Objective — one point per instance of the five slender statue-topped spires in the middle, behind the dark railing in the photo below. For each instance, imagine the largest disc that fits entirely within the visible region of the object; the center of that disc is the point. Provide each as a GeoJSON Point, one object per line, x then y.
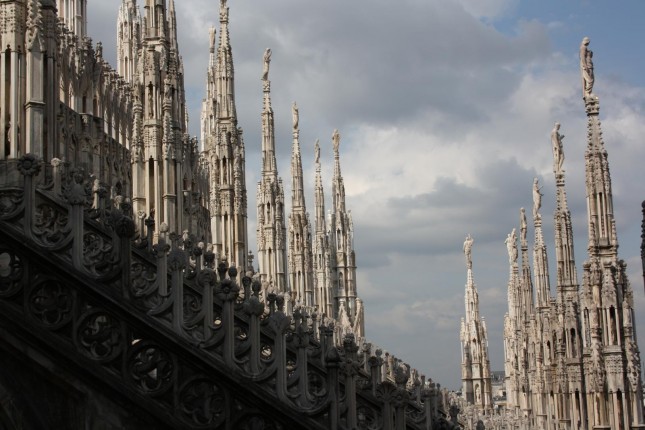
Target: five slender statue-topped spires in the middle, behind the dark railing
{"type": "Point", "coordinates": [315, 271]}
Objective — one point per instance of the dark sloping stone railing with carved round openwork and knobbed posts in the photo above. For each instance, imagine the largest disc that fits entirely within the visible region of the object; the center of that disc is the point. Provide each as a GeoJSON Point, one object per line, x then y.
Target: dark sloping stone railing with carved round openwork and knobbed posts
{"type": "Point", "coordinates": [169, 326]}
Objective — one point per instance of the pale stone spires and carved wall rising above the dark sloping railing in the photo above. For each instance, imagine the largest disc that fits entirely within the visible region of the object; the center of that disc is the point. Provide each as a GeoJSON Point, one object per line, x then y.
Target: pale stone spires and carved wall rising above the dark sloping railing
{"type": "Point", "coordinates": [129, 129]}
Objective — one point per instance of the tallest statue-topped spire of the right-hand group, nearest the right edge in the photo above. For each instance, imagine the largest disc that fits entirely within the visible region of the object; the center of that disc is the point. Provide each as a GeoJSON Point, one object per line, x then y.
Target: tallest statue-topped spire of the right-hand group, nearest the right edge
{"type": "Point", "coordinates": [607, 296]}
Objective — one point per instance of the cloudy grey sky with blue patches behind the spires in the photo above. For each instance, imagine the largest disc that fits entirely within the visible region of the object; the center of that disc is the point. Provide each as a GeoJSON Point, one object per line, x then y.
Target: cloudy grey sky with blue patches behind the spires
{"type": "Point", "coordinates": [445, 110]}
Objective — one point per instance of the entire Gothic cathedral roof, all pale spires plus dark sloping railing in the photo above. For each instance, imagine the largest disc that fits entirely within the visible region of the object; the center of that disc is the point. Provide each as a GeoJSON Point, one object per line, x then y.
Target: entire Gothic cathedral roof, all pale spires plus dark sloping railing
{"type": "Point", "coordinates": [128, 292]}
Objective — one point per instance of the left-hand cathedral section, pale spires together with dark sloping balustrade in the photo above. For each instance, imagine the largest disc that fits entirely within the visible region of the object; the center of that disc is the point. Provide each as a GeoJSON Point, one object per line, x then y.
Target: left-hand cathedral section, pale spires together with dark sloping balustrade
{"type": "Point", "coordinates": [116, 231]}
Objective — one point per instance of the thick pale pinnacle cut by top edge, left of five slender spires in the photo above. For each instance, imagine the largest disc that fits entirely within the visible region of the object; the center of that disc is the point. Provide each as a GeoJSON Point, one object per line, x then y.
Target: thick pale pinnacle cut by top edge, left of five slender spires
{"type": "Point", "coordinates": [165, 170]}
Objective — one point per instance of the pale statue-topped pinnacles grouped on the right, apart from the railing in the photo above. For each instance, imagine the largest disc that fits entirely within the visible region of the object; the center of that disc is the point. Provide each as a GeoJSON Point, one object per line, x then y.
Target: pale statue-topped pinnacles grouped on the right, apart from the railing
{"type": "Point", "coordinates": [571, 361]}
